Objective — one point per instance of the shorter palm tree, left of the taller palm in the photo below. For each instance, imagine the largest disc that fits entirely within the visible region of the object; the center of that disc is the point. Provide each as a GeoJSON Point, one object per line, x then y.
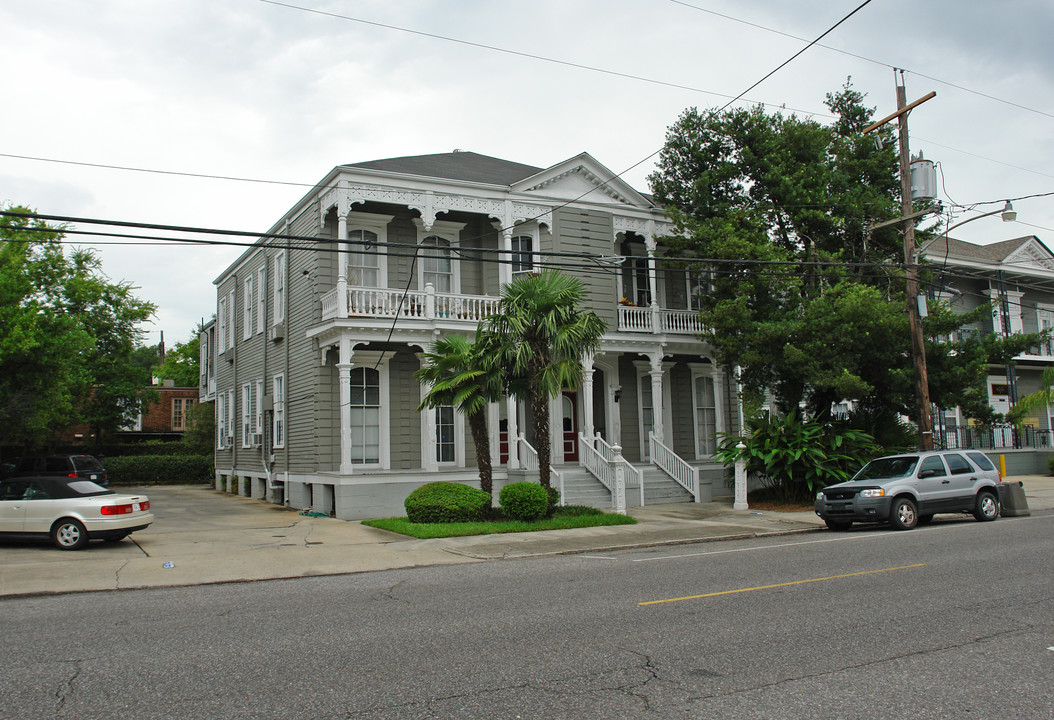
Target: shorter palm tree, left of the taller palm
{"type": "Point", "coordinates": [460, 377]}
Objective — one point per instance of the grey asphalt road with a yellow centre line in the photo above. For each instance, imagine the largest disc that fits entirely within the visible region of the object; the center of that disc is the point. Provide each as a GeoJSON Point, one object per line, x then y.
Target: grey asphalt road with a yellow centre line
{"type": "Point", "coordinates": [950, 621]}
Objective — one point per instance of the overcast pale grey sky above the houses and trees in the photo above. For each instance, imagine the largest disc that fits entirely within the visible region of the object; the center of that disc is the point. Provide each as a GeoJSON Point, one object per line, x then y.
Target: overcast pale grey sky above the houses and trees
{"type": "Point", "coordinates": [284, 92]}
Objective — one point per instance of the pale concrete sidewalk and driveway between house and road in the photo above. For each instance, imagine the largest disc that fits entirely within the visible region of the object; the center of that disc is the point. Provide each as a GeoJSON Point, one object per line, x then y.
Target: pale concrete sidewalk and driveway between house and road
{"type": "Point", "coordinates": [202, 536]}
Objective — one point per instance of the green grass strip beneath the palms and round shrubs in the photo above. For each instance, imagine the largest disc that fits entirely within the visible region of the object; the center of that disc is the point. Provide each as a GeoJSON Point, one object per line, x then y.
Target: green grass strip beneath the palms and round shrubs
{"type": "Point", "coordinates": [564, 518]}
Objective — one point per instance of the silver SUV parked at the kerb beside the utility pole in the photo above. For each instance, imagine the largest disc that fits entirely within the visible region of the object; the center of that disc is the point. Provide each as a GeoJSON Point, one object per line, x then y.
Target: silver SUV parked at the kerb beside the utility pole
{"type": "Point", "coordinates": [909, 490]}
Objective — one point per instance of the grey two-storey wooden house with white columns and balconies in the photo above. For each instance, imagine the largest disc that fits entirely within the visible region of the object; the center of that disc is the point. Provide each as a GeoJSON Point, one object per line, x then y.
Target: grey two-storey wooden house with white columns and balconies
{"type": "Point", "coordinates": [311, 358]}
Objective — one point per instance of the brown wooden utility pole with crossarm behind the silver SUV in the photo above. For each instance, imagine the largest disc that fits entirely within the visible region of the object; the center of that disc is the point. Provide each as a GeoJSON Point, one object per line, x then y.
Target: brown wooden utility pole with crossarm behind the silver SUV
{"type": "Point", "coordinates": [911, 266]}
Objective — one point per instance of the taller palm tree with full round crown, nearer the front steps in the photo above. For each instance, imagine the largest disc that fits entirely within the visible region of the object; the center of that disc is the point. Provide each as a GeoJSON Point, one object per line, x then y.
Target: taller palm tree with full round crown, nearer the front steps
{"type": "Point", "coordinates": [542, 337]}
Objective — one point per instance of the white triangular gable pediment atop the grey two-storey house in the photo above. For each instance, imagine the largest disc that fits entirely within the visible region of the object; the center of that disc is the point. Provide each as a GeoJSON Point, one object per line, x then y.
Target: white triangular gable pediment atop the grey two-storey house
{"type": "Point", "coordinates": [582, 178]}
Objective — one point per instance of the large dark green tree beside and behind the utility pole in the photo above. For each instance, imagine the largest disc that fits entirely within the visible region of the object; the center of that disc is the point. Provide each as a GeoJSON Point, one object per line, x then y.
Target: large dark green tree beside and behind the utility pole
{"type": "Point", "coordinates": [804, 297]}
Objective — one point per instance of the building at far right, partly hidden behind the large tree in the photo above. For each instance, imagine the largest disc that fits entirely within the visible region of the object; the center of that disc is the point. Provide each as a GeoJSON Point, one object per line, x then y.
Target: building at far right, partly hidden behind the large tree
{"type": "Point", "coordinates": [1018, 278]}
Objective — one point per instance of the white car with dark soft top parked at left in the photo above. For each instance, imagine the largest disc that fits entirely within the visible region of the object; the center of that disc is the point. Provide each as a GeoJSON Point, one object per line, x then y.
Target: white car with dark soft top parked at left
{"type": "Point", "coordinates": [69, 511]}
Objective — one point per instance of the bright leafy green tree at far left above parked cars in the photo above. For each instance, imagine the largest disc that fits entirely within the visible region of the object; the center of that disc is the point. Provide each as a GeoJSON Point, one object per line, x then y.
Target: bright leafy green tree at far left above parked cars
{"type": "Point", "coordinates": [67, 336]}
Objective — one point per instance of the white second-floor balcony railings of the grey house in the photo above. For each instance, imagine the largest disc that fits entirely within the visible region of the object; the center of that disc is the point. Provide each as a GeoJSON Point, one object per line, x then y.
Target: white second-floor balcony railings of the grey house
{"type": "Point", "coordinates": [428, 305]}
